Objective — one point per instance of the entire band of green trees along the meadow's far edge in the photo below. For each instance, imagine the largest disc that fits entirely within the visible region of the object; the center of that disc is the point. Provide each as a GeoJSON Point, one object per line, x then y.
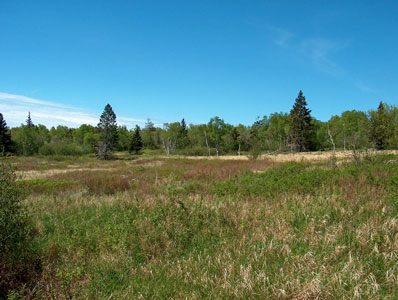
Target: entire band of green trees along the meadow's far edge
{"type": "Point", "coordinates": [296, 131]}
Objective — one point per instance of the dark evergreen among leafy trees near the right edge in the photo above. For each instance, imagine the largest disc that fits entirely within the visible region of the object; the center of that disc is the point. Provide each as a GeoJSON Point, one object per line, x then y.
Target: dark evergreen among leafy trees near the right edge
{"type": "Point", "coordinates": [380, 127]}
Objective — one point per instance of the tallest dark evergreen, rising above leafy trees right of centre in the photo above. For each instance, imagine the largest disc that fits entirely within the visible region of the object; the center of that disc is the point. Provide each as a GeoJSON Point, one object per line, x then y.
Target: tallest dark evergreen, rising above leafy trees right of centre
{"type": "Point", "coordinates": [301, 127]}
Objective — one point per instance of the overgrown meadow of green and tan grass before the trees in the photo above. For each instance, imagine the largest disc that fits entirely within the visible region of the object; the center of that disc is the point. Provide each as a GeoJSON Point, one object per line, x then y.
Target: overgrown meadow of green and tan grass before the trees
{"type": "Point", "coordinates": [175, 228]}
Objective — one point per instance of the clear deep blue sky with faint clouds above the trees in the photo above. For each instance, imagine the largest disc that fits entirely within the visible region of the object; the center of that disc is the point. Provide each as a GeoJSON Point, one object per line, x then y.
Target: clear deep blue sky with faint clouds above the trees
{"type": "Point", "coordinates": [168, 60]}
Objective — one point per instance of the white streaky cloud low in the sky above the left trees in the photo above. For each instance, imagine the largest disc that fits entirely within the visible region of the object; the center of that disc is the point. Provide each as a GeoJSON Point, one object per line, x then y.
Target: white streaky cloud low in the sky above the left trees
{"type": "Point", "coordinates": [15, 109]}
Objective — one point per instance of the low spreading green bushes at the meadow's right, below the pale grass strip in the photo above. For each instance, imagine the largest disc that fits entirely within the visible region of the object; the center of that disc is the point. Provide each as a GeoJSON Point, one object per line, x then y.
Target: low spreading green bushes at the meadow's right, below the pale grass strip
{"type": "Point", "coordinates": [298, 178]}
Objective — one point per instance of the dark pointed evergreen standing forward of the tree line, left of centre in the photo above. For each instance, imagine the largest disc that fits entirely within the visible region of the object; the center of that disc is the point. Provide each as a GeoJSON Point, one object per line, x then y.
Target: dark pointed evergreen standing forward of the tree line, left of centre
{"type": "Point", "coordinates": [108, 130]}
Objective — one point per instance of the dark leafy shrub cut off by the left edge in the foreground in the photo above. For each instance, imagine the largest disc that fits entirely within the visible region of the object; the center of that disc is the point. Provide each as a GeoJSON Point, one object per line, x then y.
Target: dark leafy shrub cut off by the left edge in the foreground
{"type": "Point", "coordinates": [18, 260]}
